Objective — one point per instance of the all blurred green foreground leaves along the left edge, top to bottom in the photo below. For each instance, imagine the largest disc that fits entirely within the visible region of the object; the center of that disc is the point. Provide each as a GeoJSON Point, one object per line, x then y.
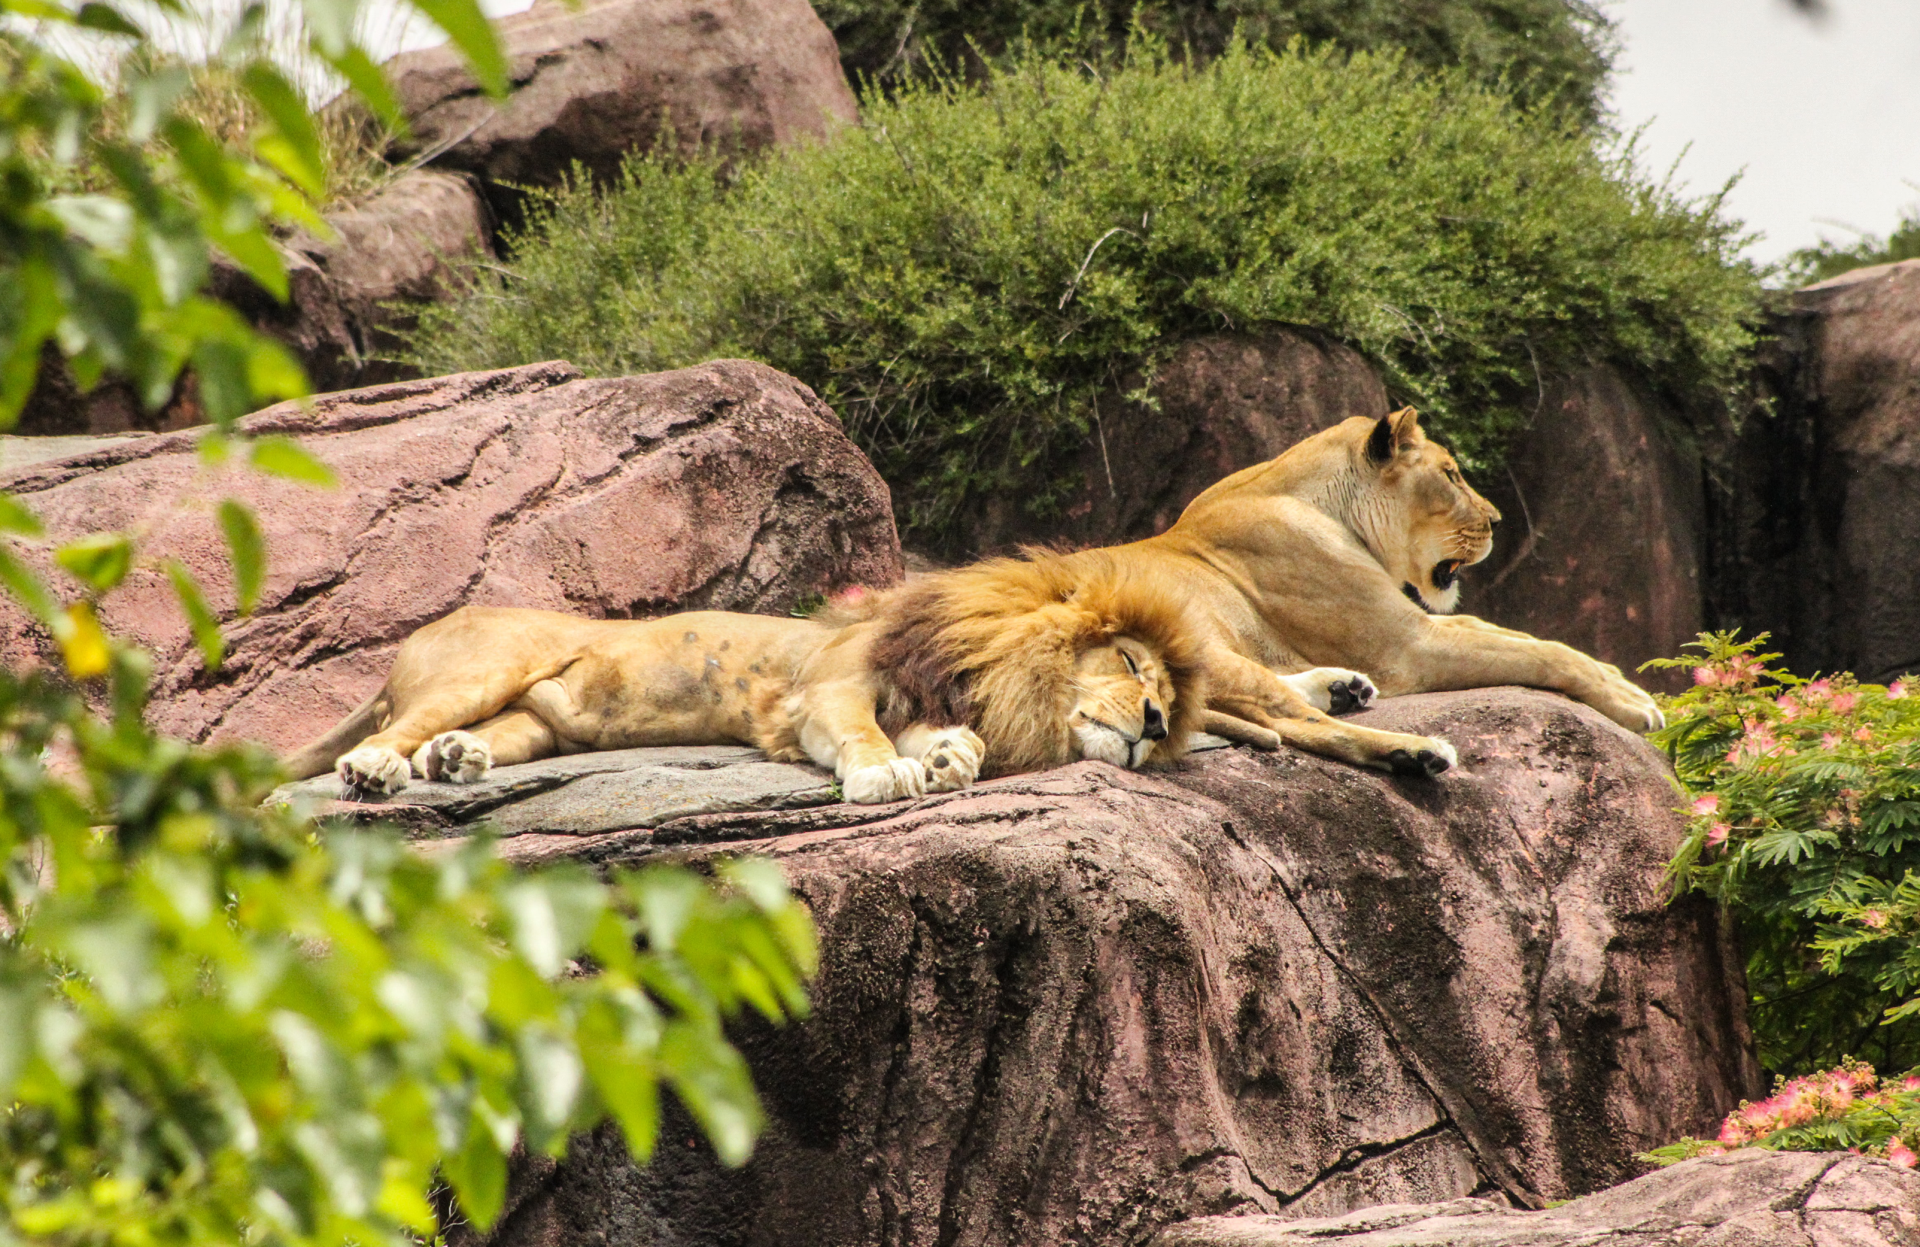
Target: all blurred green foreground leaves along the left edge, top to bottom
{"type": "Point", "coordinates": [220, 1023]}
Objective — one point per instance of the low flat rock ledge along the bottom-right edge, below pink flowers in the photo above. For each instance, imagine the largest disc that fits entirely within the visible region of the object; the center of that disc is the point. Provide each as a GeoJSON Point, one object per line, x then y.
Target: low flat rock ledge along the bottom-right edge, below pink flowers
{"type": "Point", "coordinates": [1748, 1198]}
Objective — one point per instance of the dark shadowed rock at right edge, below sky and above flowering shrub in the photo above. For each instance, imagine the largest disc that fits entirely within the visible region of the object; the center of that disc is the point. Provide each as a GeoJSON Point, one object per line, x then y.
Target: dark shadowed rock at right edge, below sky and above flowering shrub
{"type": "Point", "coordinates": [1821, 514]}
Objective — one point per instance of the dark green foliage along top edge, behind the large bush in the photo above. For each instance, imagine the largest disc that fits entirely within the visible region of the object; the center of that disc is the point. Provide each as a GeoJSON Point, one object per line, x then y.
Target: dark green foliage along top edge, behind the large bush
{"type": "Point", "coordinates": [1547, 51]}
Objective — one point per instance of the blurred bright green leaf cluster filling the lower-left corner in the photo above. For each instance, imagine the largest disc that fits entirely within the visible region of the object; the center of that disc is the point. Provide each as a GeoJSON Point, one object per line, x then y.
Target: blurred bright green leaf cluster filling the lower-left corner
{"type": "Point", "coordinates": [218, 1023]}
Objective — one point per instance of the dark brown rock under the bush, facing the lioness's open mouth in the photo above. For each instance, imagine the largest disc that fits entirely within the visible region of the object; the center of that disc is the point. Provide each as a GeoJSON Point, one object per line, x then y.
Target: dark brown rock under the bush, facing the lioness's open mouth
{"type": "Point", "coordinates": [1602, 533]}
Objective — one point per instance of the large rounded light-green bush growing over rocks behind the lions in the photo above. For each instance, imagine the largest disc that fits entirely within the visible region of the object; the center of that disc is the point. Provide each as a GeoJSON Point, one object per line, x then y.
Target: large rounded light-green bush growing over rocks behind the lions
{"type": "Point", "coordinates": [967, 272]}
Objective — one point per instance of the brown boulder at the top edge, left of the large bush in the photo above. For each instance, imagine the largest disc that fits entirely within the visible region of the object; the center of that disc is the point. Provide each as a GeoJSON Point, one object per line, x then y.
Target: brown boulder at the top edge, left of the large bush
{"type": "Point", "coordinates": [606, 78]}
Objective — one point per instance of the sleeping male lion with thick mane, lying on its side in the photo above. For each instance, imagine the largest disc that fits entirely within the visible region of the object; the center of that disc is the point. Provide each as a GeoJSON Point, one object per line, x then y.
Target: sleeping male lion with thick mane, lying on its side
{"type": "Point", "coordinates": [990, 670]}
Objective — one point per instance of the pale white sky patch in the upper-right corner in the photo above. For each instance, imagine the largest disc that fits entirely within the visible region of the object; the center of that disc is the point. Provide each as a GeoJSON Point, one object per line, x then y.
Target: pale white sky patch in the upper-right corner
{"type": "Point", "coordinates": [1823, 116]}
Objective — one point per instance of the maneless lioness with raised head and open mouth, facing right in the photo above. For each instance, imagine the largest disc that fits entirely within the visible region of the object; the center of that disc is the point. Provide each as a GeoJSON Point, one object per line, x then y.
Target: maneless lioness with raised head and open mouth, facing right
{"type": "Point", "coordinates": [1345, 550]}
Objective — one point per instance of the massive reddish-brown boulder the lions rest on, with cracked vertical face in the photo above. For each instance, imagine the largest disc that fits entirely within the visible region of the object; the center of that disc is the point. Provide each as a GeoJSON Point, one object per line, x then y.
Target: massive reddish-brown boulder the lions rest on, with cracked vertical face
{"type": "Point", "coordinates": [1082, 1006]}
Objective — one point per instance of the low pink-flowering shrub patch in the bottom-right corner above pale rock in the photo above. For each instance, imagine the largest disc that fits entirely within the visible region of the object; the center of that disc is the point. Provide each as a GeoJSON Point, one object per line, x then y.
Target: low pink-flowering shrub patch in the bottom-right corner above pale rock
{"type": "Point", "coordinates": [1846, 1108]}
